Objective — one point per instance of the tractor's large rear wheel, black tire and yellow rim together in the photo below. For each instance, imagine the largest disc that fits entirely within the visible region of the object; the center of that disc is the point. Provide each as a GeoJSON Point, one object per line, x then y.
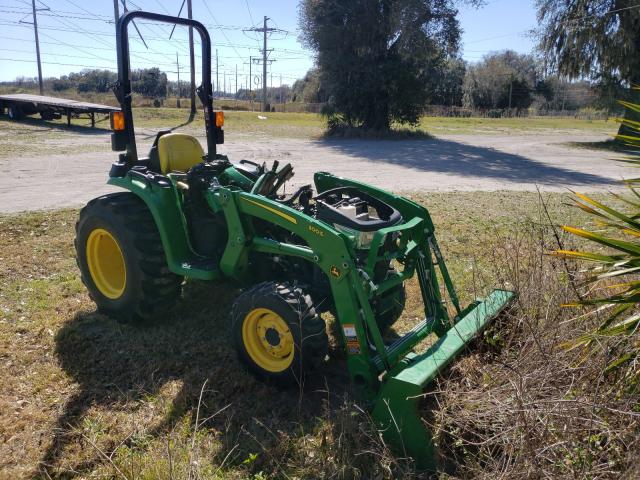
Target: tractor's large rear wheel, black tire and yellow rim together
{"type": "Point", "coordinates": [121, 258]}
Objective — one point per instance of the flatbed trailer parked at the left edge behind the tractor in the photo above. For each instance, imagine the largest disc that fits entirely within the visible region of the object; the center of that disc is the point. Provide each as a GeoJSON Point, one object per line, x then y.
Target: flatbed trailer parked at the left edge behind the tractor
{"type": "Point", "coordinates": [18, 105]}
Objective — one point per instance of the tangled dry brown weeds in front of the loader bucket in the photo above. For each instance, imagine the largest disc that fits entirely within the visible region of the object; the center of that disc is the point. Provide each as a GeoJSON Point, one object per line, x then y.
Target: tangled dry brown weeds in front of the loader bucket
{"type": "Point", "coordinates": [522, 406]}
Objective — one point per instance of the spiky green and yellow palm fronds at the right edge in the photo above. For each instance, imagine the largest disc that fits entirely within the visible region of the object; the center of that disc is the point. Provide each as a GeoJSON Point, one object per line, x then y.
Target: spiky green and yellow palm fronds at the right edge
{"type": "Point", "coordinates": [621, 263]}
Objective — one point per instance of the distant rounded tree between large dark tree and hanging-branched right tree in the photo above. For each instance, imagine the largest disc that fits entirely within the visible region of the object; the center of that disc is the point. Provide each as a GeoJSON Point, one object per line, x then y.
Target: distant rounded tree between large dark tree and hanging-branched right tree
{"type": "Point", "coordinates": [501, 80]}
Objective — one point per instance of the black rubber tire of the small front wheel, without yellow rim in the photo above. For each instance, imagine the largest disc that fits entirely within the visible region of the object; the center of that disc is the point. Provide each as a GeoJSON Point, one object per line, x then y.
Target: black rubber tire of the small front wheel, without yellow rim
{"type": "Point", "coordinates": [296, 309]}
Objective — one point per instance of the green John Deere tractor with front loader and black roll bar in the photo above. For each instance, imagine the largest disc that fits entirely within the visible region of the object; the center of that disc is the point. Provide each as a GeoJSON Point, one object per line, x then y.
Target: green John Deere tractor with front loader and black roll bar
{"type": "Point", "coordinates": [343, 247]}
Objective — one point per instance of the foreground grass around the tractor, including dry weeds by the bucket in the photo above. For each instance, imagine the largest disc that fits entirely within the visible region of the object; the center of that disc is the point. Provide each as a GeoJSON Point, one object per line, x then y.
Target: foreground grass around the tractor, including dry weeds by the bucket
{"type": "Point", "coordinates": [83, 396]}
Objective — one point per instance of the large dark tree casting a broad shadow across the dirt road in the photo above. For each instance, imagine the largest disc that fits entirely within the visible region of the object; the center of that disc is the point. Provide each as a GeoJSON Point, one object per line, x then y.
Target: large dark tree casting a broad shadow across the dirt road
{"type": "Point", "coordinates": [378, 59]}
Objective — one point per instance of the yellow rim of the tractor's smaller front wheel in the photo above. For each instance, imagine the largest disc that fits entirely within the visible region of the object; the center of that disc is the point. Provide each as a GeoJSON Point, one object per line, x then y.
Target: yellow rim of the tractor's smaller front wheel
{"type": "Point", "coordinates": [268, 340]}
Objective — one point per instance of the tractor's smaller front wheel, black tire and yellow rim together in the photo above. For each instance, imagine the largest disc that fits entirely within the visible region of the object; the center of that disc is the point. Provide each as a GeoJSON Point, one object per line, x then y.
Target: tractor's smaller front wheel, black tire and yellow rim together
{"type": "Point", "coordinates": [277, 332]}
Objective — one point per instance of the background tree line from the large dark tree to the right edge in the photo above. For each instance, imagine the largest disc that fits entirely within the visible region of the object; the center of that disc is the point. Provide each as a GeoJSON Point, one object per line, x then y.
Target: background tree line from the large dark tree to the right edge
{"type": "Point", "coordinates": [379, 62]}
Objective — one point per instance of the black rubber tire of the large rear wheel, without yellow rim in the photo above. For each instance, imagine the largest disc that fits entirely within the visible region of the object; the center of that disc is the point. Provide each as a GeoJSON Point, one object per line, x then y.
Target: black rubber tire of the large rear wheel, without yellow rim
{"type": "Point", "coordinates": [150, 288]}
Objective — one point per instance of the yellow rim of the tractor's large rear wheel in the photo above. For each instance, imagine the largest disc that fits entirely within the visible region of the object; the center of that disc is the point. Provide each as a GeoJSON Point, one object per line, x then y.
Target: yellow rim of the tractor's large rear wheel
{"type": "Point", "coordinates": [106, 263]}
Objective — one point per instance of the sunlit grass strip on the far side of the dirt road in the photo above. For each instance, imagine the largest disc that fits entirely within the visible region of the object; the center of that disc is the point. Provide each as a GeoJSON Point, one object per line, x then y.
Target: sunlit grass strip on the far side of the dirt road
{"type": "Point", "coordinates": [33, 136]}
